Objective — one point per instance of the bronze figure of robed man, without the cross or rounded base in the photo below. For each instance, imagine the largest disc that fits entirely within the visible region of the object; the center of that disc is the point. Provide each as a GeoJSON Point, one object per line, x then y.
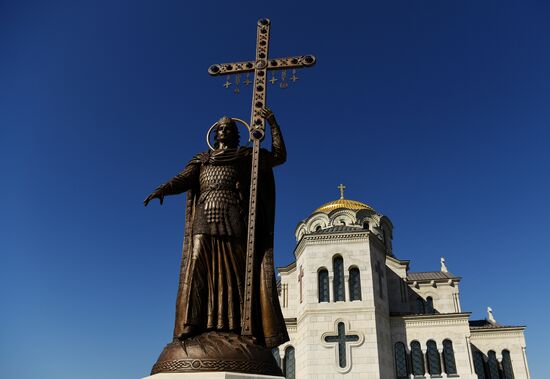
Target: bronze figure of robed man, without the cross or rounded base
{"type": "Point", "coordinates": [212, 278]}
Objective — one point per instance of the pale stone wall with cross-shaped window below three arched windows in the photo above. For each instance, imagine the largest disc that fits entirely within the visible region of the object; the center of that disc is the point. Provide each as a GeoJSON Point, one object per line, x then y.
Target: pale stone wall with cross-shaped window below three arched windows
{"type": "Point", "coordinates": [315, 356]}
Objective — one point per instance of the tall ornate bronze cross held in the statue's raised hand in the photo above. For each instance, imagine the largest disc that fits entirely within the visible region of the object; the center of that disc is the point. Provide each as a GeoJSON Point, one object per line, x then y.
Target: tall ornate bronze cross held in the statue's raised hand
{"type": "Point", "coordinates": [257, 131]}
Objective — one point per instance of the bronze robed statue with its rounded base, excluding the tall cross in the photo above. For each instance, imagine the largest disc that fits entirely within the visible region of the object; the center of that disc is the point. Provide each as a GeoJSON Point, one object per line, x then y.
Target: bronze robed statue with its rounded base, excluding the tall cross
{"type": "Point", "coordinates": [211, 301]}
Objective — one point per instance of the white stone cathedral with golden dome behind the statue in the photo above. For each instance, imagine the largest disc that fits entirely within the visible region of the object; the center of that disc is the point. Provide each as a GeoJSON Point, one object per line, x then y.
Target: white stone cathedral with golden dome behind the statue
{"type": "Point", "coordinates": [354, 310]}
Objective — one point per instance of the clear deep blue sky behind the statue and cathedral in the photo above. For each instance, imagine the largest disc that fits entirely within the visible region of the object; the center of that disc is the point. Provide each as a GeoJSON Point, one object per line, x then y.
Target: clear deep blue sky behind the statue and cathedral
{"type": "Point", "coordinates": [436, 113]}
